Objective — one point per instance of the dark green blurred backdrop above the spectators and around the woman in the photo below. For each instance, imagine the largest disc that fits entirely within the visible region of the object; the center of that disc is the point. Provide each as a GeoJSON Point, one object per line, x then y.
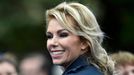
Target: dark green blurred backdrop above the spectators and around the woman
{"type": "Point", "coordinates": [22, 24]}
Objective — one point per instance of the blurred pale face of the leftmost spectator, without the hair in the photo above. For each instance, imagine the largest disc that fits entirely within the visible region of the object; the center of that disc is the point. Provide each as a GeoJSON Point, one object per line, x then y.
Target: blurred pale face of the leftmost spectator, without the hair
{"type": "Point", "coordinates": [7, 69]}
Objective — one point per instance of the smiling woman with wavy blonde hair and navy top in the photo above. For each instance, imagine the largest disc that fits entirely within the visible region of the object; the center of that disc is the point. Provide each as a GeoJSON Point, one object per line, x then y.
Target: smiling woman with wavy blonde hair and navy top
{"type": "Point", "coordinates": [74, 40]}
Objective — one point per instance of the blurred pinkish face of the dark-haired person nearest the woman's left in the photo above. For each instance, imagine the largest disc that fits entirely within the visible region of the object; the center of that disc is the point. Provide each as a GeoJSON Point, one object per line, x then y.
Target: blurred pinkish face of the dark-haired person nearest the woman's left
{"type": "Point", "coordinates": [32, 66]}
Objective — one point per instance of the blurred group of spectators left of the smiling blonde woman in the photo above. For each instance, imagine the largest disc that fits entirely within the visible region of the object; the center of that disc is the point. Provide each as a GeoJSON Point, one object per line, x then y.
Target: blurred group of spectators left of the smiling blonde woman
{"type": "Point", "coordinates": [35, 63]}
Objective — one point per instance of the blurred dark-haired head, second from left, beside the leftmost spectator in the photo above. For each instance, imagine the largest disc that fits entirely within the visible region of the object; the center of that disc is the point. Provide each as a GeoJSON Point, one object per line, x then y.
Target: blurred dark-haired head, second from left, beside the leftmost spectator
{"type": "Point", "coordinates": [35, 64]}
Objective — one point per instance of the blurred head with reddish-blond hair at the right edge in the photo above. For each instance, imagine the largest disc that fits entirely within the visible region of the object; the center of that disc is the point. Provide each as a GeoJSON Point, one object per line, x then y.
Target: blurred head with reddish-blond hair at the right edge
{"type": "Point", "coordinates": [124, 62]}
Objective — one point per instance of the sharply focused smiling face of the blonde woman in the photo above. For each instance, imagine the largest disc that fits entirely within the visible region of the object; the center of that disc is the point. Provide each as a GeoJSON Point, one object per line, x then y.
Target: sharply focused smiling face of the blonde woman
{"type": "Point", "coordinates": [64, 47]}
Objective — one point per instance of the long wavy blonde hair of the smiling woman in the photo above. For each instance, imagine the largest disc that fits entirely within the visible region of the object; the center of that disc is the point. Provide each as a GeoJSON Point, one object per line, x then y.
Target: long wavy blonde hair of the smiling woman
{"type": "Point", "coordinates": [86, 27]}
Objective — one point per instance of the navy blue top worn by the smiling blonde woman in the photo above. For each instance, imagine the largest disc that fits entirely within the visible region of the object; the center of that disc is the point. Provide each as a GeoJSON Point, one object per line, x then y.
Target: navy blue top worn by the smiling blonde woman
{"type": "Point", "coordinates": [81, 67]}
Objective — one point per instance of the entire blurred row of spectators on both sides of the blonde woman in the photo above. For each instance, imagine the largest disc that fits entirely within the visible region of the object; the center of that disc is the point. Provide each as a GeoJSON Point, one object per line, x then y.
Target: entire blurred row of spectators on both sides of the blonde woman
{"type": "Point", "coordinates": [37, 63]}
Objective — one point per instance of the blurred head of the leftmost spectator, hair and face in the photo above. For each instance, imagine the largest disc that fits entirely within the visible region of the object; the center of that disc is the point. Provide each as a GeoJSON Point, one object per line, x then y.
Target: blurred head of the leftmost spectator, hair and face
{"type": "Point", "coordinates": [8, 64]}
